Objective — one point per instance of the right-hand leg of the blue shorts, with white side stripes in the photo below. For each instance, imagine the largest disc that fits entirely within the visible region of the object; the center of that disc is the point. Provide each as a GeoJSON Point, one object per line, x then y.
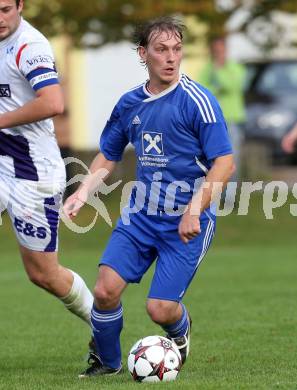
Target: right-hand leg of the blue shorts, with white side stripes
{"type": "Point", "coordinates": [178, 262]}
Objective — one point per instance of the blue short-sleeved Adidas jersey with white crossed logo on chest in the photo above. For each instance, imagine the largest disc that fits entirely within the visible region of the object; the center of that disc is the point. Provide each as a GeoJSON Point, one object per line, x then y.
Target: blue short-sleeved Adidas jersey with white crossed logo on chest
{"type": "Point", "coordinates": [176, 134]}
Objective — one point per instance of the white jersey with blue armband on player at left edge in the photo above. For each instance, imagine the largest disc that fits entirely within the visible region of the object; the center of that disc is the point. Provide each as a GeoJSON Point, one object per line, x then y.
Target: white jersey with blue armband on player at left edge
{"type": "Point", "coordinates": [27, 64]}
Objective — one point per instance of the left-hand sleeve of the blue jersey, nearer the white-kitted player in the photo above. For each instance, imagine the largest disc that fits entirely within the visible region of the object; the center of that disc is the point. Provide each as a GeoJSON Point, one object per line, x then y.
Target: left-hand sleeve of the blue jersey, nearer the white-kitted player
{"type": "Point", "coordinates": [113, 139]}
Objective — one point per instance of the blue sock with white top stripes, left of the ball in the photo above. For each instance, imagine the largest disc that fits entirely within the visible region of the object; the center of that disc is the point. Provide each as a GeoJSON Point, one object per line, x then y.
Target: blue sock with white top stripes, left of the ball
{"type": "Point", "coordinates": [107, 326]}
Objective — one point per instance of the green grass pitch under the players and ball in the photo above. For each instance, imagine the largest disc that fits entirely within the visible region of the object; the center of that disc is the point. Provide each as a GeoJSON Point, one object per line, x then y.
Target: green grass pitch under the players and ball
{"type": "Point", "coordinates": [243, 305]}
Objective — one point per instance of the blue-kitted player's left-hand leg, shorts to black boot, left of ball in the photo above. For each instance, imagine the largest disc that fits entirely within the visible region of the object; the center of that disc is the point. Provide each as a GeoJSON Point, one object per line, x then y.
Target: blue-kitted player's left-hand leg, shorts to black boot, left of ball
{"type": "Point", "coordinates": [124, 261]}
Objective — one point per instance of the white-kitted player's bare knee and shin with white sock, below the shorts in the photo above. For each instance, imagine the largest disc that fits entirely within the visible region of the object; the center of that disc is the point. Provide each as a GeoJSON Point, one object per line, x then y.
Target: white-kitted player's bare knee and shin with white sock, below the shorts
{"type": "Point", "coordinates": [44, 270]}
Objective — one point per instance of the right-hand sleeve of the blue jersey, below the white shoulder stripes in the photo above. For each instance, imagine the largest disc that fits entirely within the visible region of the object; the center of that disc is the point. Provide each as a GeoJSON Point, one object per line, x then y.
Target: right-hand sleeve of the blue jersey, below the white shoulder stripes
{"type": "Point", "coordinates": [213, 135]}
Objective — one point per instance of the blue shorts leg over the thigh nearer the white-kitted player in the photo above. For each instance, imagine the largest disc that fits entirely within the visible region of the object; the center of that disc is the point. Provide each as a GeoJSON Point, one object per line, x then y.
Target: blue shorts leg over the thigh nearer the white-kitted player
{"type": "Point", "coordinates": [127, 256]}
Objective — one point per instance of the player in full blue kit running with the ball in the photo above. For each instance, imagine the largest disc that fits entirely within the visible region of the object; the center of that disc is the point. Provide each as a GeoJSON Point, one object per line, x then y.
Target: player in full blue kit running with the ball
{"type": "Point", "coordinates": [180, 138]}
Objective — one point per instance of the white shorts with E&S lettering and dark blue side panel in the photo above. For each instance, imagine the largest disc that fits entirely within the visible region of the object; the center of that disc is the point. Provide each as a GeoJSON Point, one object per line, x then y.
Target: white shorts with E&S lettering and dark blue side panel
{"type": "Point", "coordinates": [33, 208]}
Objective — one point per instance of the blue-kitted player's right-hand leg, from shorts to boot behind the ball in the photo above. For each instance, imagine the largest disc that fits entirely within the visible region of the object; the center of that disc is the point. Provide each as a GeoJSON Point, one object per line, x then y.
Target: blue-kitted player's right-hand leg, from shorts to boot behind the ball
{"type": "Point", "coordinates": [176, 267]}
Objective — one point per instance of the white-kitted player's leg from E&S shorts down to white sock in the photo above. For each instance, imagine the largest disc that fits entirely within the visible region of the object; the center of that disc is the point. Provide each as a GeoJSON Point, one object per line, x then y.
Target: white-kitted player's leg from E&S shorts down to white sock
{"type": "Point", "coordinates": [34, 212]}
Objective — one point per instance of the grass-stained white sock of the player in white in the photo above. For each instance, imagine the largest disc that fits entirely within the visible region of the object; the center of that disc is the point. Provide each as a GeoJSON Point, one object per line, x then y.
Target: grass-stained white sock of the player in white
{"type": "Point", "coordinates": [79, 300]}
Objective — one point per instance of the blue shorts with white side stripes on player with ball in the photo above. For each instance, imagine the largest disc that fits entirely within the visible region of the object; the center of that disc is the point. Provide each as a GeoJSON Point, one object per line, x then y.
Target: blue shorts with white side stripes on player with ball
{"type": "Point", "coordinates": [133, 248]}
